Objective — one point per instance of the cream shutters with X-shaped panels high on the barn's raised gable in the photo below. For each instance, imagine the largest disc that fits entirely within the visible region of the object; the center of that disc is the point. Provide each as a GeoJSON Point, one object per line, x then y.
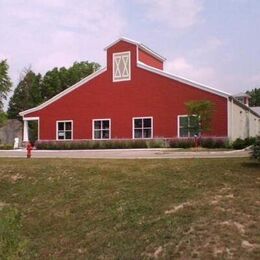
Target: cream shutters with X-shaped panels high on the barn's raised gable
{"type": "Point", "coordinates": [121, 66]}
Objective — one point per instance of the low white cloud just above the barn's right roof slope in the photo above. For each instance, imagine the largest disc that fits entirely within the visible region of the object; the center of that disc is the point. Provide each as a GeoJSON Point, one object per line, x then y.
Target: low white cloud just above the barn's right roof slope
{"type": "Point", "coordinates": [181, 67]}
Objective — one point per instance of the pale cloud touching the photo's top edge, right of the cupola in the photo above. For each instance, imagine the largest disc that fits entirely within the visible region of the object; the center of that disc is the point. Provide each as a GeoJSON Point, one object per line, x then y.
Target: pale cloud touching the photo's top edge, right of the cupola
{"type": "Point", "coordinates": [174, 13]}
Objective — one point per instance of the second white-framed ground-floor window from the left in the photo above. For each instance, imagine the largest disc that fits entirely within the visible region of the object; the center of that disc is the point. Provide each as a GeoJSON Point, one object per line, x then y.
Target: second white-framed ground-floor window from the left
{"type": "Point", "coordinates": [101, 129]}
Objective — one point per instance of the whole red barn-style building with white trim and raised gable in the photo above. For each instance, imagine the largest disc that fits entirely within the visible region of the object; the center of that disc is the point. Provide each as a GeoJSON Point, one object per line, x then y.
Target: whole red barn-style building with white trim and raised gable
{"type": "Point", "coordinates": [131, 98]}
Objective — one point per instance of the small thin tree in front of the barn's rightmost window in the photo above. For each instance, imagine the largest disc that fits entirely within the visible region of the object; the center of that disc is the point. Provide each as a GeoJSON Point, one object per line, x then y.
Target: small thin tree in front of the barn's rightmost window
{"type": "Point", "coordinates": [200, 113]}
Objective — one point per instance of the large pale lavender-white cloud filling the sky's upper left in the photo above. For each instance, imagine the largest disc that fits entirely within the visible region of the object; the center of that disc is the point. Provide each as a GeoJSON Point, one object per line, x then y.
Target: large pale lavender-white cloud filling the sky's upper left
{"type": "Point", "coordinates": [56, 33]}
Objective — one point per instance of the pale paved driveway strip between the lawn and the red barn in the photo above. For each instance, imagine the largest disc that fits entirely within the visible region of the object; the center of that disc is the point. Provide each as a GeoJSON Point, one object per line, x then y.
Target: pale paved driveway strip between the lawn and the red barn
{"type": "Point", "coordinates": [126, 154]}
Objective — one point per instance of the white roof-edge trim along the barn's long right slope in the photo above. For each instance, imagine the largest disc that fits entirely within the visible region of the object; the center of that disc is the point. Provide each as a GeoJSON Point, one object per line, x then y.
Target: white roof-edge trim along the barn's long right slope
{"type": "Point", "coordinates": [183, 80]}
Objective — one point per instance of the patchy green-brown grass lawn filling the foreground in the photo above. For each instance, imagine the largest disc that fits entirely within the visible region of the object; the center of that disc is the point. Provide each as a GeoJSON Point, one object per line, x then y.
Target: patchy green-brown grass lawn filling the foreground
{"type": "Point", "coordinates": [129, 209]}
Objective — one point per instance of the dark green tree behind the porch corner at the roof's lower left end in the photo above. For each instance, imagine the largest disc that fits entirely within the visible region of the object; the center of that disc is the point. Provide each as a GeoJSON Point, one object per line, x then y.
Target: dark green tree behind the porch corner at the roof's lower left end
{"type": "Point", "coordinates": [26, 95]}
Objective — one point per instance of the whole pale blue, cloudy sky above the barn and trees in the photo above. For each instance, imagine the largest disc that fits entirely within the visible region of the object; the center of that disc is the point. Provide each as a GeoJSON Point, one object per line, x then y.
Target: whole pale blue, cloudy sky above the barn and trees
{"type": "Point", "coordinates": [213, 42]}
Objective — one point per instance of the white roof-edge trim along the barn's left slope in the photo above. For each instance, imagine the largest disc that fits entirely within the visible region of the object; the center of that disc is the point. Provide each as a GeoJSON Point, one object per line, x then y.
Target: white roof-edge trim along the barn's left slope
{"type": "Point", "coordinates": [64, 92]}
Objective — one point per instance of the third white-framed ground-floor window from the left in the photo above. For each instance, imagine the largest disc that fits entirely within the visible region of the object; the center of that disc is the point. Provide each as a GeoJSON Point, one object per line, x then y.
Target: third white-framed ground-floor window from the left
{"type": "Point", "coordinates": [142, 127]}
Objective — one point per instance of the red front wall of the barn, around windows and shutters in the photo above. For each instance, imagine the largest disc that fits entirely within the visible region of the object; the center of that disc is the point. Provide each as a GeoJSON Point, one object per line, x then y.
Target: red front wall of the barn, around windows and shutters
{"type": "Point", "coordinates": [146, 94]}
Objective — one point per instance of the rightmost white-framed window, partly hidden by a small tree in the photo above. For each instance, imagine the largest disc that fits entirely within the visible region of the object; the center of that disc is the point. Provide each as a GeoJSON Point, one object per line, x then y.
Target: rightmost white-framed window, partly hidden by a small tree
{"type": "Point", "coordinates": [188, 126]}
